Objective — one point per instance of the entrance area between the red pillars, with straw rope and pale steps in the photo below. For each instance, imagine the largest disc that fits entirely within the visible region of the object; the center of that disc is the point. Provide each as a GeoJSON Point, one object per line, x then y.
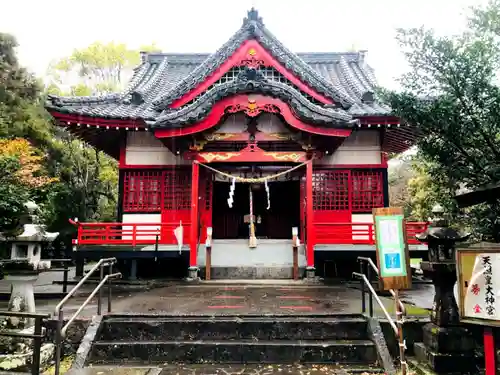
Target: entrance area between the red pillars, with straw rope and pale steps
{"type": "Point", "coordinates": [254, 208]}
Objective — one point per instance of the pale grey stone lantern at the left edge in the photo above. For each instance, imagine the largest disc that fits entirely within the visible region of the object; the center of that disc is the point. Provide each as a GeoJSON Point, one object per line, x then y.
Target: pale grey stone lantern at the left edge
{"type": "Point", "coordinates": [25, 265]}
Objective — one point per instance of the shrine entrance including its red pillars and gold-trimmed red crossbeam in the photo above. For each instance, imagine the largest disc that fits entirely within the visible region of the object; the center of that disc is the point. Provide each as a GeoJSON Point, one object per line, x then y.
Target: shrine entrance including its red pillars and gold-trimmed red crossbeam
{"type": "Point", "coordinates": [257, 199]}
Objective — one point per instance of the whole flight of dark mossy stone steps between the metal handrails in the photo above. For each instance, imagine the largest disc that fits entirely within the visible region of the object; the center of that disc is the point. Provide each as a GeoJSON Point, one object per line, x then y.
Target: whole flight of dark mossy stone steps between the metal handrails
{"type": "Point", "coordinates": [160, 340]}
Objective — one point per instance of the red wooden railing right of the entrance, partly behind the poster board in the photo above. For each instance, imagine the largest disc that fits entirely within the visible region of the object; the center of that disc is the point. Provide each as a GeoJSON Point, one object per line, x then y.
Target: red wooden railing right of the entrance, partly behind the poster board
{"type": "Point", "coordinates": [358, 233]}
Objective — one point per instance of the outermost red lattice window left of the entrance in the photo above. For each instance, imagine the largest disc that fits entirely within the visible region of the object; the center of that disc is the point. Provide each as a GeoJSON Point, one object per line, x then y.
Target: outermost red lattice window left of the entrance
{"type": "Point", "coordinates": [142, 191]}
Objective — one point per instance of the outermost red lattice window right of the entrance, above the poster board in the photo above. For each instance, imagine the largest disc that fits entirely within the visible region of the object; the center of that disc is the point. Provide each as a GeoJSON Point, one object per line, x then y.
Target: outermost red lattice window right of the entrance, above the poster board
{"type": "Point", "coordinates": [367, 190]}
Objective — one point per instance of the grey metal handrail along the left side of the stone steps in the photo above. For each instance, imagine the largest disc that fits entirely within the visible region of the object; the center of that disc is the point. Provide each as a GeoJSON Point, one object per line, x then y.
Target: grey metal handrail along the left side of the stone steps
{"type": "Point", "coordinates": [58, 311]}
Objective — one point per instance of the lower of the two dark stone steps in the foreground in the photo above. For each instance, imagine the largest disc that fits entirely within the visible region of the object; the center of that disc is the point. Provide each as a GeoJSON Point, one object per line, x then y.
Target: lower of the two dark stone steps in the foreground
{"type": "Point", "coordinates": [238, 351]}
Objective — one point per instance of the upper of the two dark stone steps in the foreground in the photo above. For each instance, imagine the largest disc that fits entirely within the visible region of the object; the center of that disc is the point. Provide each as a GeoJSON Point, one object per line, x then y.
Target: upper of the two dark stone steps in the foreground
{"type": "Point", "coordinates": [232, 328]}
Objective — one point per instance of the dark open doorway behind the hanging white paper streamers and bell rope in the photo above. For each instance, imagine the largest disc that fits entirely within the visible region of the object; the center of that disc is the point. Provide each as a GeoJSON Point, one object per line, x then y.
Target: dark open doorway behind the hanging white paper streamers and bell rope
{"type": "Point", "coordinates": [274, 213]}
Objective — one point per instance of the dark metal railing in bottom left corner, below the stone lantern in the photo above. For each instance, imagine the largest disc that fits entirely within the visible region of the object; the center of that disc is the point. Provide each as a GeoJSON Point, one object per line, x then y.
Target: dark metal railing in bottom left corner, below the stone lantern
{"type": "Point", "coordinates": [37, 335]}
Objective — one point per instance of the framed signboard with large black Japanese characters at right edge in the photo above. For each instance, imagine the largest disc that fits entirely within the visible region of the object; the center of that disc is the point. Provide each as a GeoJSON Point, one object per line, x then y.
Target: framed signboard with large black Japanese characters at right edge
{"type": "Point", "coordinates": [478, 271]}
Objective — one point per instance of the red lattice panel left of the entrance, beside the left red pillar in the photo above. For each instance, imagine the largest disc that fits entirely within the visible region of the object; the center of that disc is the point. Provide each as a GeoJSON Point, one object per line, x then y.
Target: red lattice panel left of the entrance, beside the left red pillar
{"type": "Point", "coordinates": [177, 189]}
